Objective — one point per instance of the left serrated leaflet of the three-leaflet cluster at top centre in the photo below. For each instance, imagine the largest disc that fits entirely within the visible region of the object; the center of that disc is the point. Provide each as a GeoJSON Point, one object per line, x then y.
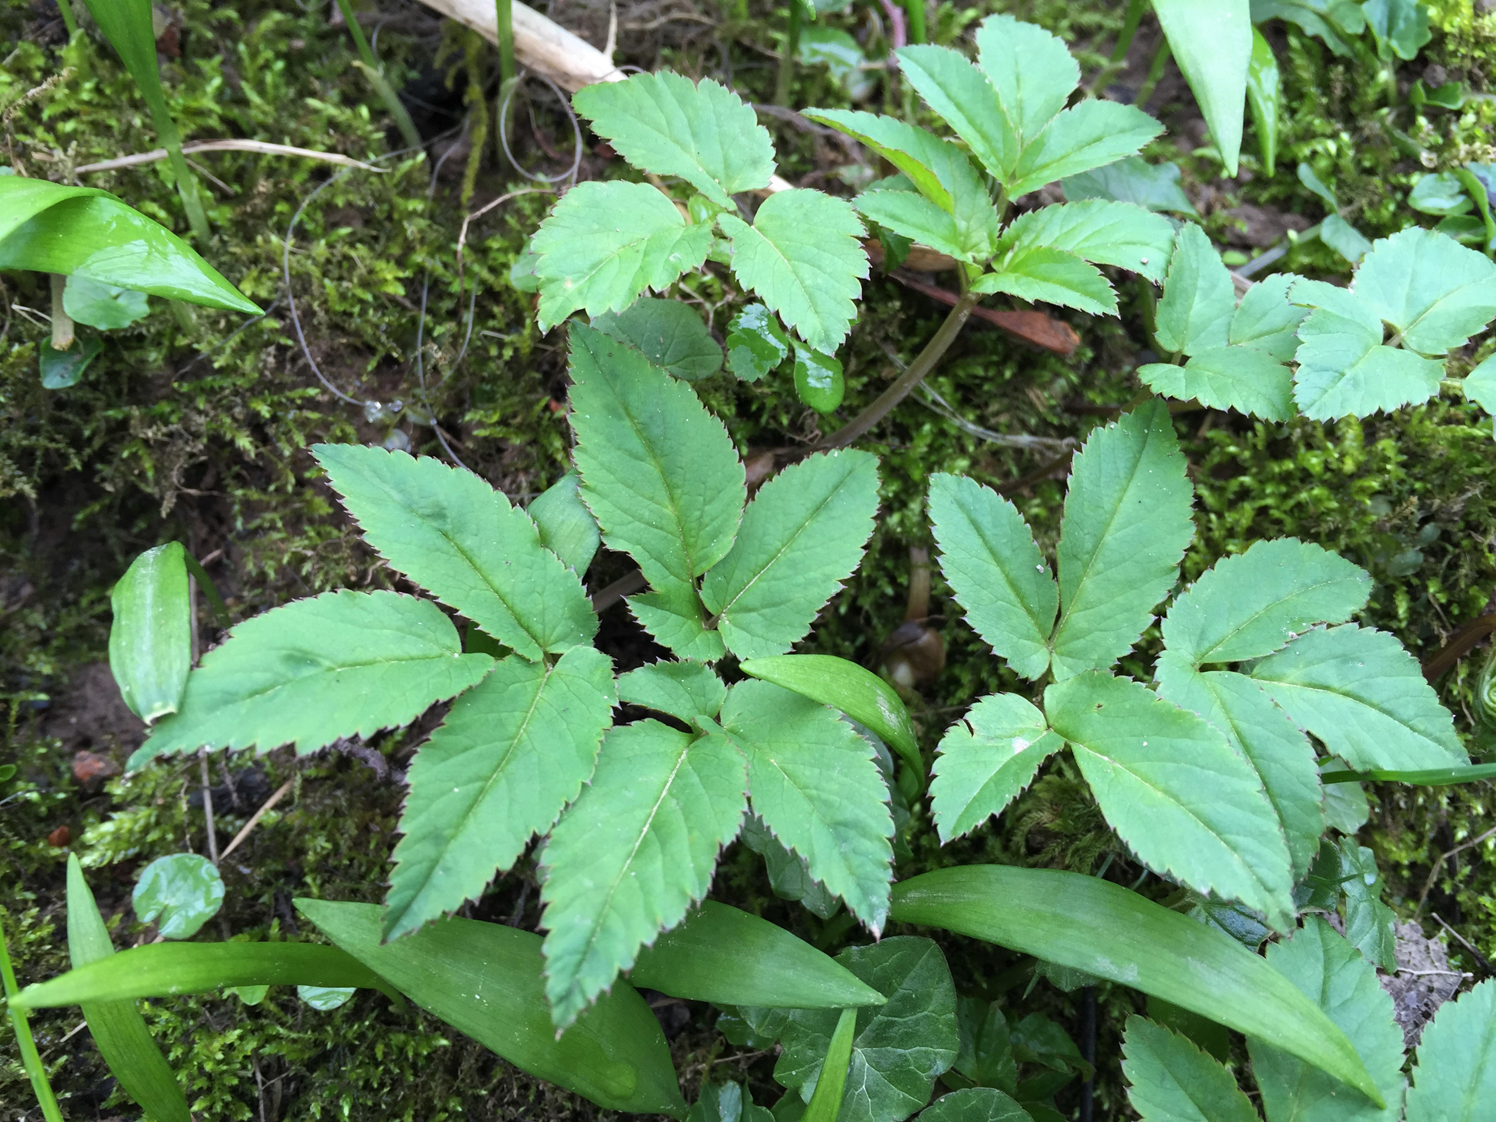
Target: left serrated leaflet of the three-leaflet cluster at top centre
{"type": "Point", "coordinates": [605, 243]}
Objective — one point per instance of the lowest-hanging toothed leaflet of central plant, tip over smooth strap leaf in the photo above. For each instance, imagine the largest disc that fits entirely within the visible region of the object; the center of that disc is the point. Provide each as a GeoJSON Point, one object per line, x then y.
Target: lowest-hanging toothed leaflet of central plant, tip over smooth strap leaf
{"type": "Point", "coordinates": [634, 853]}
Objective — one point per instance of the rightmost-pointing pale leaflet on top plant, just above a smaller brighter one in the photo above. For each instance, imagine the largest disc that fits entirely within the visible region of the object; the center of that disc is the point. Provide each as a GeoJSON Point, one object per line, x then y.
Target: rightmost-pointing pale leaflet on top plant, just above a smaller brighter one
{"type": "Point", "coordinates": [1103, 233]}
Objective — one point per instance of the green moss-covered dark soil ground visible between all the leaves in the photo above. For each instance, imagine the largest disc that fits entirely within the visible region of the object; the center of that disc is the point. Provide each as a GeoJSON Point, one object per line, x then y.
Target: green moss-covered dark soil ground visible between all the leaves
{"type": "Point", "coordinates": [195, 429]}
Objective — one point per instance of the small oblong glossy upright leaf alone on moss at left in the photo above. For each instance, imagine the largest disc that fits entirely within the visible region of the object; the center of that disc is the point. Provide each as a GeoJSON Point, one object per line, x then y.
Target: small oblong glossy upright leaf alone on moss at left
{"type": "Point", "coordinates": [150, 638]}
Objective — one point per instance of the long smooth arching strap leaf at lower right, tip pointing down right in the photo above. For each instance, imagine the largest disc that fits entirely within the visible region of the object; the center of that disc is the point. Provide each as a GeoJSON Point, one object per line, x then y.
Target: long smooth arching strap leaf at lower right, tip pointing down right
{"type": "Point", "coordinates": [1102, 928]}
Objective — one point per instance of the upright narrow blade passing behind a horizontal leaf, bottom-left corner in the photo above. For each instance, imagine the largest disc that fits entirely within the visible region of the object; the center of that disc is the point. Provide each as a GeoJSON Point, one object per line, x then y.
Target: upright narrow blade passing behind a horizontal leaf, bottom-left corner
{"type": "Point", "coordinates": [117, 1027]}
